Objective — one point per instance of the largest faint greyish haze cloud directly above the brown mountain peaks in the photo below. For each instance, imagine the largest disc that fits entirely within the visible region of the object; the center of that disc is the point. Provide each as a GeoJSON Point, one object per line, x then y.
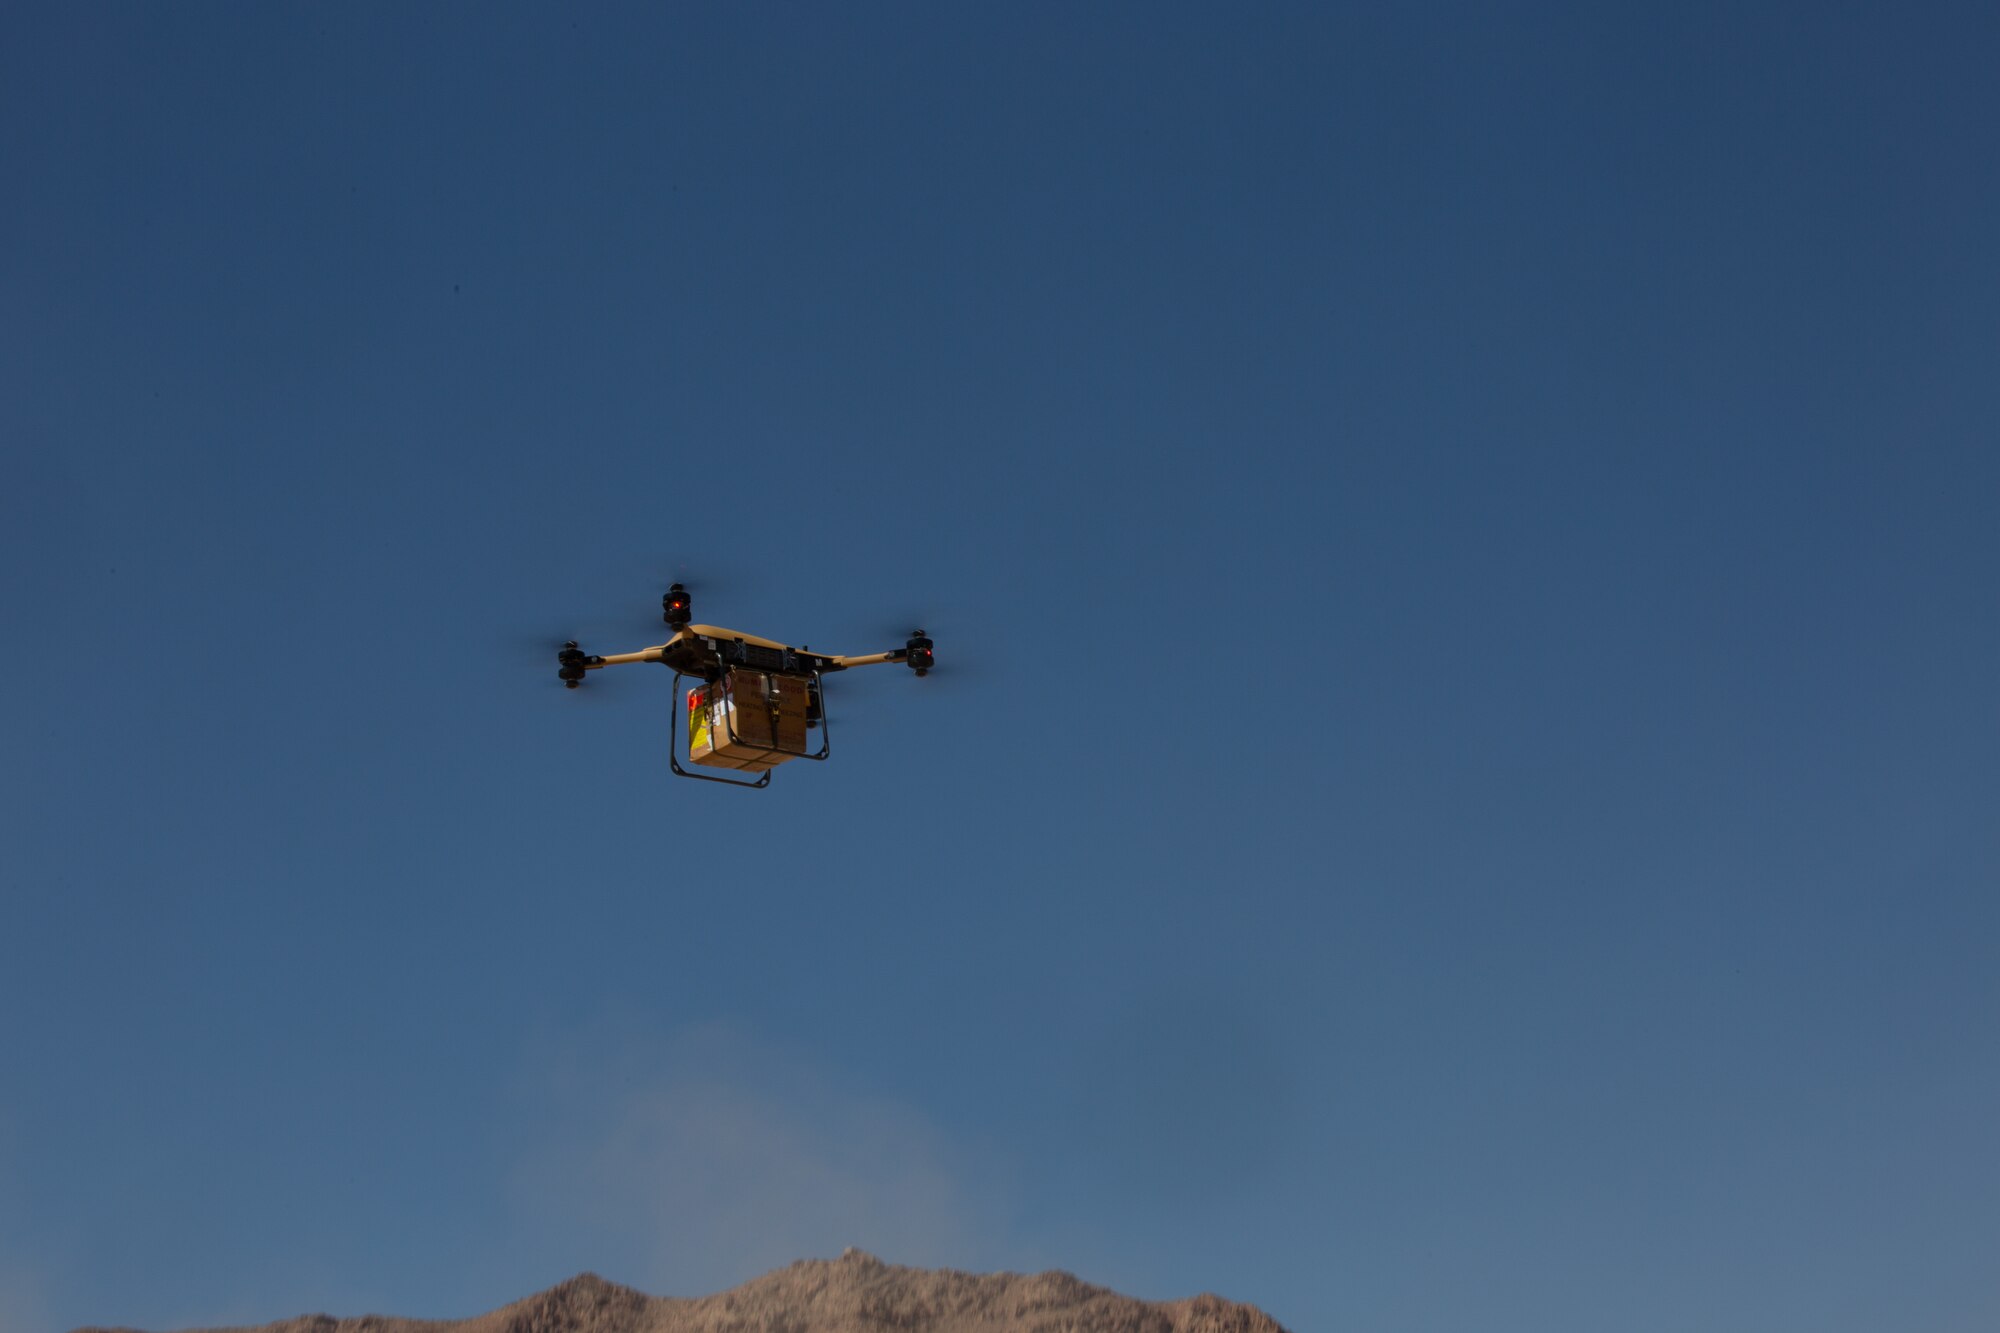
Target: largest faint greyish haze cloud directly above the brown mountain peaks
{"type": "Point", "coordinates": [701, 1160]}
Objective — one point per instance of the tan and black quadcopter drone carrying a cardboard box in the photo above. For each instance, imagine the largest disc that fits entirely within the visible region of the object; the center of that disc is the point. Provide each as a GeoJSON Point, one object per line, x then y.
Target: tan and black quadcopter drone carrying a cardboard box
{"type": "Point", "coordinates": [757, 700]}
